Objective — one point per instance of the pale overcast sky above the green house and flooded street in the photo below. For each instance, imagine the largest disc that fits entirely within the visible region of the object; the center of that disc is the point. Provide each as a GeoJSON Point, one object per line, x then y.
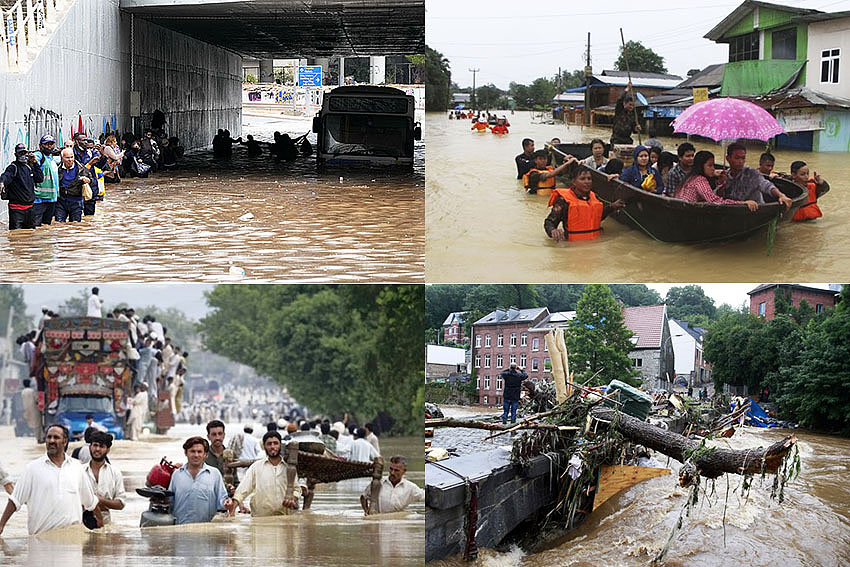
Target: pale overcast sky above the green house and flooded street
{"type": "Point", "coordinates": [514, 41]}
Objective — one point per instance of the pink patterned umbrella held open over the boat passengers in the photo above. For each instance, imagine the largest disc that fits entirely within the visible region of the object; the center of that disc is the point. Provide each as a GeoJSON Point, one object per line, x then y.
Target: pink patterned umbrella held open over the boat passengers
{"type": "Point", "coordinates": [727, 119]}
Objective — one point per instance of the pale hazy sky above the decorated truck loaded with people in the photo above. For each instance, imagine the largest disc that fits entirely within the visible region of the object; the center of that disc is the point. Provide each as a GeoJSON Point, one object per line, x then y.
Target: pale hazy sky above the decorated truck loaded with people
{"type": "Point", "coordinates": [189, 298]}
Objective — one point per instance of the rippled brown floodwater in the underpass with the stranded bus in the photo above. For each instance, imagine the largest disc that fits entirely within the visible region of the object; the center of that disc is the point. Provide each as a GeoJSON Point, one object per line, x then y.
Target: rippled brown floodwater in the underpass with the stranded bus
{"type": "Point", "coordinates": [337, 225]}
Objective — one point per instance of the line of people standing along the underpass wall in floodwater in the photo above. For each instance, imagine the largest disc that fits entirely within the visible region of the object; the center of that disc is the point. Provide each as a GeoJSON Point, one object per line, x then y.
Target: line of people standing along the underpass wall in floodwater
{"type": "Point", "coordinates": [65, 184]}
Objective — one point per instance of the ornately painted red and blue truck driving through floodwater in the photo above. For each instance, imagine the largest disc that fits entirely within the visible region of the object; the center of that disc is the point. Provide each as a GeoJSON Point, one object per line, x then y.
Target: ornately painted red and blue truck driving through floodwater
{"type": "Point", "coordinates": [84, 370]}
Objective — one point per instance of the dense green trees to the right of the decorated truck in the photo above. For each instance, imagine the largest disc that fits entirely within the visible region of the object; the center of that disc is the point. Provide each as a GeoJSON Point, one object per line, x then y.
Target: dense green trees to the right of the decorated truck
{"type": "Point", "coordinates": [336, 348]}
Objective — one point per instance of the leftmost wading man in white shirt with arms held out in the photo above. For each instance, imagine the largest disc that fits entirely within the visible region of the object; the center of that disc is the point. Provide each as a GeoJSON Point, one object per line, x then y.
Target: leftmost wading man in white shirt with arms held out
{"type": "Point", "coordinates": [53, 487]}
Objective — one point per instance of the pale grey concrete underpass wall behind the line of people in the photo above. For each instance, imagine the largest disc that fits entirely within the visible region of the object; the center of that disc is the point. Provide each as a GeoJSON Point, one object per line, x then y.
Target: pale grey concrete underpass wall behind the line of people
{"type": "Point", "coordinates": [83, 72]}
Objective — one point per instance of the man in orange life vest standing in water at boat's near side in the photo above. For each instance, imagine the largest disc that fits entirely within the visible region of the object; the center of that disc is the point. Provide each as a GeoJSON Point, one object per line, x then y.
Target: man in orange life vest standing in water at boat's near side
{"type": "Point", "coordinates": [577, 209]}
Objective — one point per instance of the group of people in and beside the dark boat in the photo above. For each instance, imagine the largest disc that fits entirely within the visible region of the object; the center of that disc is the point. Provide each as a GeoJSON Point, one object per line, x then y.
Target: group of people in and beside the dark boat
{"type": "Point", "coordinates": [576, 213]}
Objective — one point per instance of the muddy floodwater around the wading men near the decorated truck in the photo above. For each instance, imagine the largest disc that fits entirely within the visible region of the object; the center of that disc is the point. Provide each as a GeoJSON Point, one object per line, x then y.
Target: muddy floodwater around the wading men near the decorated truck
{"type": "Point", "coordinates": [333, 533]}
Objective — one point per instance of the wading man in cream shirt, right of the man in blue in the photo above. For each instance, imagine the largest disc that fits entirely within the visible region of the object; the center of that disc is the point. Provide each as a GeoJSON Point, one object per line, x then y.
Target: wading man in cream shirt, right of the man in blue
{"type": "Point", "coordinates": [273, 492]}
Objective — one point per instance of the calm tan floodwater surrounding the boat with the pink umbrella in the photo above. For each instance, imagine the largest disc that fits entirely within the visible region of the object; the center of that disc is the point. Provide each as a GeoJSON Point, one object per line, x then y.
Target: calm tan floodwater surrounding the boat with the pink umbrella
{"type": "Point", "coordinates": [481, 226]}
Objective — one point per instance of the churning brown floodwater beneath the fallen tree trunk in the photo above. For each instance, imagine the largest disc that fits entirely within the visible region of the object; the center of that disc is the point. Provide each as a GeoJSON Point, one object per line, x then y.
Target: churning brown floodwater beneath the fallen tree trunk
{"type": "Point", "coordinates": [811, 528]}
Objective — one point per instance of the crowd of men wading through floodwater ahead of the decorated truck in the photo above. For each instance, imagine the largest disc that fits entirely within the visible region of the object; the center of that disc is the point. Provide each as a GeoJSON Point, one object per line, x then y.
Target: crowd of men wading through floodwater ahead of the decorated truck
{"type": "Point", "coordinates": [202, 487]}
